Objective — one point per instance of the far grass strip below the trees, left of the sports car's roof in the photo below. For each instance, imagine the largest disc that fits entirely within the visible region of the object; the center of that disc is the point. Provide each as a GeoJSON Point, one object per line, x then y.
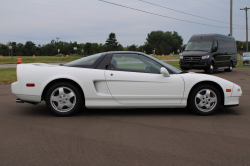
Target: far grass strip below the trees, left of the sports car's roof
{"type": "Point", "coordinates": [38, 59]}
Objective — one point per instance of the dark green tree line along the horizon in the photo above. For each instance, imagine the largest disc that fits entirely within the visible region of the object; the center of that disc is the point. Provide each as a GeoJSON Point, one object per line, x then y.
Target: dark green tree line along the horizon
{"type": "Point", "coordinates": [162, 42]}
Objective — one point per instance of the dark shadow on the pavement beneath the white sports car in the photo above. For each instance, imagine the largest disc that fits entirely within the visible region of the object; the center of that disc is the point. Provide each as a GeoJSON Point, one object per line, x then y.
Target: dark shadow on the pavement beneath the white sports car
{"type": "Point", "coordinates": [41, 110]}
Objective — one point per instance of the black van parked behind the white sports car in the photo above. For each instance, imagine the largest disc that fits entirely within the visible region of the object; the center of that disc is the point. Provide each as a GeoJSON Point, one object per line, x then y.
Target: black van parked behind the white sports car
{"type": "Point", "coordinates": [209, 52]}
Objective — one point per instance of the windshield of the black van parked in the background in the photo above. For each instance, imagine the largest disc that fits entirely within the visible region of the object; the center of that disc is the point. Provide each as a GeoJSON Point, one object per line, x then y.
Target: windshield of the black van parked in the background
{"type": "Point", "coordinates": [198, 46]}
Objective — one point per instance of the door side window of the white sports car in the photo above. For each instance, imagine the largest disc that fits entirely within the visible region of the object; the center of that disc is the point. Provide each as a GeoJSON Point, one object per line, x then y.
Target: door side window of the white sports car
{"type": "Point", "coordinates": [134, 63]}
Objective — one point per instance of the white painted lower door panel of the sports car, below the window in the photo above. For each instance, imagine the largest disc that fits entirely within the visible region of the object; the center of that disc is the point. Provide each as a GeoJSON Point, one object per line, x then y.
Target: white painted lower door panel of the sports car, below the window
{"type": "Point", "coordinates": [144, 88]}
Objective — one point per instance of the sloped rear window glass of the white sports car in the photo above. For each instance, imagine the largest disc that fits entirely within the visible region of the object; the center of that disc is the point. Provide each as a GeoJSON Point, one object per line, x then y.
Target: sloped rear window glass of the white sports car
{"type": "Point", "coordinates": [89, 60]}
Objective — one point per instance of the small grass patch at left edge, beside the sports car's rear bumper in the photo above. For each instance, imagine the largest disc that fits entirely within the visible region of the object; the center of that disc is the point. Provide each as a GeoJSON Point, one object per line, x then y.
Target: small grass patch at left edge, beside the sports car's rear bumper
{"type": "Point", "coordinates": [7, 75]}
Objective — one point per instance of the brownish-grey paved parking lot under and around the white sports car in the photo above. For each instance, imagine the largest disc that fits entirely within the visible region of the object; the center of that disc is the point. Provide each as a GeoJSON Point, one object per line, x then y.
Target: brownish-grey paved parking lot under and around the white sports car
{"type": "Point", "coordinates": [31, 135]}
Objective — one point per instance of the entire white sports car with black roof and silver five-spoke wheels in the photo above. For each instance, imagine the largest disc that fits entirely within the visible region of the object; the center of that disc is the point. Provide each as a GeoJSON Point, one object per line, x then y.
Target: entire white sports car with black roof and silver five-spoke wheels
{"type": "Point", "coordinates": [121, 80]}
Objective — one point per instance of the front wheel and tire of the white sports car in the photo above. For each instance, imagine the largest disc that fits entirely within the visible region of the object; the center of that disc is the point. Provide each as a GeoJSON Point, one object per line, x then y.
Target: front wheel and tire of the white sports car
{"type": "Point", "coordinates": [204, 100]}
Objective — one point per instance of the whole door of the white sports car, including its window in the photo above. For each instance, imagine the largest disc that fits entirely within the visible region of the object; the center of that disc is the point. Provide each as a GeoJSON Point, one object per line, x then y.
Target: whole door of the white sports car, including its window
{"type": "Point", "coordinates": [136, 79]}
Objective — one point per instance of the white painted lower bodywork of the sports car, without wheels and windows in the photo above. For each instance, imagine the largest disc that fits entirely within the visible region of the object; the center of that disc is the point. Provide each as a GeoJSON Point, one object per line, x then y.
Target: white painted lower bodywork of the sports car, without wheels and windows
{"type": "Point", "coordinates": [128, 89]}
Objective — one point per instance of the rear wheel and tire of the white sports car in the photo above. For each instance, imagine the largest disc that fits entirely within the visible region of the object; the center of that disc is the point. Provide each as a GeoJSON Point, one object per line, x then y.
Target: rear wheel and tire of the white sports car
{"type": "Point", "coordinates": [63, 99]}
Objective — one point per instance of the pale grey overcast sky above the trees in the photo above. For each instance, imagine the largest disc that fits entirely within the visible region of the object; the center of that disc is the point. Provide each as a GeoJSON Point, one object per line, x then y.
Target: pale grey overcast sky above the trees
{"type": "Point", "coordinates": [41, 21]}
